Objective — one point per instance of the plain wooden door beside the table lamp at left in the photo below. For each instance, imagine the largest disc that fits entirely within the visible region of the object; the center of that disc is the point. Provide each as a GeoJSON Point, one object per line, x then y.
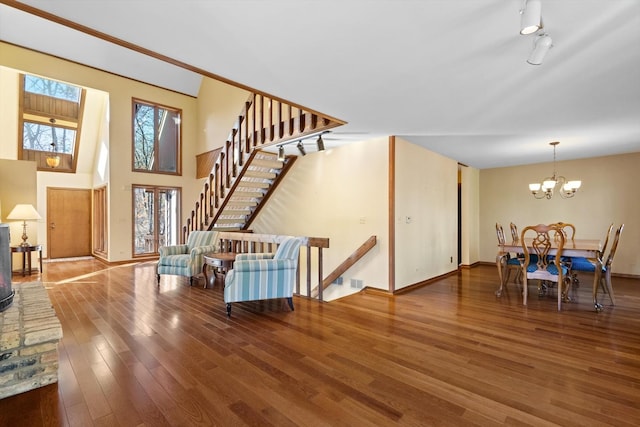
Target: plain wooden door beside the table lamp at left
{"type": "Point", "coordinates": [68, 222]}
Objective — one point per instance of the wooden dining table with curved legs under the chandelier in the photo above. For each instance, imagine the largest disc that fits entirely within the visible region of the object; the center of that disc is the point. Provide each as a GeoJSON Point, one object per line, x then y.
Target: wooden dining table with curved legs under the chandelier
{"type": "Point", "coordinates": [587, 248]}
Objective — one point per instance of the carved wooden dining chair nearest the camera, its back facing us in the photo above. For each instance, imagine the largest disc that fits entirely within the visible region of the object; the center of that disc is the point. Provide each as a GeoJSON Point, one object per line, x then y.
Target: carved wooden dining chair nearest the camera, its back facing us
{"type": "Point", "coordinates": [544, 269]}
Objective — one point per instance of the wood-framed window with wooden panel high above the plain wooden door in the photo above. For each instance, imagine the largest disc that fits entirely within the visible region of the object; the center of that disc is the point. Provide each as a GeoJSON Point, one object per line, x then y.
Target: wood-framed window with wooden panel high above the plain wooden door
{"type": "Point", "coordinates": [50, 117]}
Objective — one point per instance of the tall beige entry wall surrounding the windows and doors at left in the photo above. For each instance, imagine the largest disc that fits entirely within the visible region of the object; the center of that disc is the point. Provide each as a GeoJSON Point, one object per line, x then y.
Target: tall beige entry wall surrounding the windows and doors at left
{"type": "Point", "coordinates": [114, 138]}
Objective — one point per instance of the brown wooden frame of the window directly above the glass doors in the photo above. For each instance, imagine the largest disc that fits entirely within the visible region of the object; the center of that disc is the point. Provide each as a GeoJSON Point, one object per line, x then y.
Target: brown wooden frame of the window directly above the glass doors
{"type": "Point", "coordinates": [156, 145]}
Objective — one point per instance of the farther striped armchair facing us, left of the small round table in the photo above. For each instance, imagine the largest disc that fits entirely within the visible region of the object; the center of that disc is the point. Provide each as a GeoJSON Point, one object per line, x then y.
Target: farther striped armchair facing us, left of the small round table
{"type": "Point", "coordinates": [186, 260]}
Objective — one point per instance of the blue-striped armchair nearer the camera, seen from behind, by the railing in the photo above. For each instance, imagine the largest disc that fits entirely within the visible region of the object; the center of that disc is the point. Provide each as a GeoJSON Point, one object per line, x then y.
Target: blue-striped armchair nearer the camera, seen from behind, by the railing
{"type": "Point", "coordinates": [261, 276]}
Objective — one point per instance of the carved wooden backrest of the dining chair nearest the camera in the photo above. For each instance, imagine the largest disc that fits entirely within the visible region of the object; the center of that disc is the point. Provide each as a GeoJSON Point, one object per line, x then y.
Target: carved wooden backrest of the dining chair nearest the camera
{"type": "Point", "coordinates": [542, 243]}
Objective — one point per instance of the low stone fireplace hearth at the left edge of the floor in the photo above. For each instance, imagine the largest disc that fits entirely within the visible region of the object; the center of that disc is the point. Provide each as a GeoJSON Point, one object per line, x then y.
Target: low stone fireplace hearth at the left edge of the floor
{"type": "Point", "coordinates": [29, 335]}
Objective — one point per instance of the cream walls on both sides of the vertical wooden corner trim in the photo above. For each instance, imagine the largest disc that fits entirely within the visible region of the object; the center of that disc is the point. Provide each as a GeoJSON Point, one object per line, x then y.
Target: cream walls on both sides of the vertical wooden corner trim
{"type": "Point", "coordinates": [343, 194]}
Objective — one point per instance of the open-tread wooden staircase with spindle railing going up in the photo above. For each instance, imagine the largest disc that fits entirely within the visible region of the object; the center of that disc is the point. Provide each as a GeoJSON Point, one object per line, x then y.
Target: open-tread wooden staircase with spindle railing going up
{"type": "Point", "coordinates": [245, 175]}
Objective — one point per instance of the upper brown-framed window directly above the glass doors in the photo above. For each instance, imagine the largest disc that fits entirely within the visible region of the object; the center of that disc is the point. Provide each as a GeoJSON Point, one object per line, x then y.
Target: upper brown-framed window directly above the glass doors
{"type": "Point", "coordinates": [156, 138]}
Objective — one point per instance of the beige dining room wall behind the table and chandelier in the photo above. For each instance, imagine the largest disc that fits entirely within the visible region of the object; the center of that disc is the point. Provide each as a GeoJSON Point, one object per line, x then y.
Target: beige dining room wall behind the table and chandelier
{"type": "Point", "coordinates": [609, 193]}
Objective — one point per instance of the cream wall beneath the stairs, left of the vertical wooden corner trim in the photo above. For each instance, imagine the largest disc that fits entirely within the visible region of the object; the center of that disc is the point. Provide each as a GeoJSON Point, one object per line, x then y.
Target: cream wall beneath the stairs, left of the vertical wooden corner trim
{"type": "Point", "coordinates": [340, 194]}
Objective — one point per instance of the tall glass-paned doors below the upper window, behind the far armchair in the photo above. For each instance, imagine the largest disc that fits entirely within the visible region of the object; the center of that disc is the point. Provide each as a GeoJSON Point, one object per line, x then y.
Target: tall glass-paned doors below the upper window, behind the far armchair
{"type": "Point", "coordinates": [156, 218]}
